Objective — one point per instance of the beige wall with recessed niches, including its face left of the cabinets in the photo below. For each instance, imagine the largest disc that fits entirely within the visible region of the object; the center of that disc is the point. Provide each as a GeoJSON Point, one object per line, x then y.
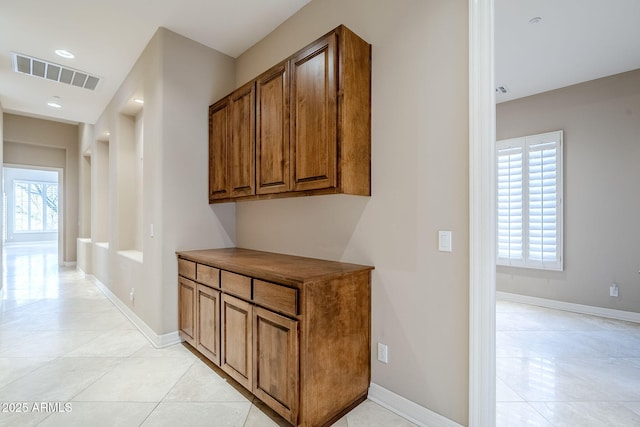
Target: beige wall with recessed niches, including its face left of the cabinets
{"type": "Point", "coordinates": [178, 79]}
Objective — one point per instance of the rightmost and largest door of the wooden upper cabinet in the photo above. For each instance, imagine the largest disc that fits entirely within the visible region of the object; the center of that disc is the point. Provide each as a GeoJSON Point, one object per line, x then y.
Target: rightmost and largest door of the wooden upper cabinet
{"type": "Point", "coordinates": [314, 116]}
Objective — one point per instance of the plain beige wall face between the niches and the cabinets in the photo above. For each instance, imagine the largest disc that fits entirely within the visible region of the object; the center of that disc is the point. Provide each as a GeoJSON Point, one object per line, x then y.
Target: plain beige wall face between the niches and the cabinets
{"type": "Point", "coordinates": [194, 76]}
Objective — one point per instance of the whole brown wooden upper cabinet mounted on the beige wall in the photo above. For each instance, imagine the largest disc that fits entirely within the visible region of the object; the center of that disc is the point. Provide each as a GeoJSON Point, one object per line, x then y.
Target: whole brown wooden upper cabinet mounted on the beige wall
{"type": "Point", "coordinates": [301, 128]}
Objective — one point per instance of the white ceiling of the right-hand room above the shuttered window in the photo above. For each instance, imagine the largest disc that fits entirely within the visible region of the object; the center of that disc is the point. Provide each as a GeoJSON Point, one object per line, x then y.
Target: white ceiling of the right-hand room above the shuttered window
{"type": "Point", "coordinates": [576, 41]}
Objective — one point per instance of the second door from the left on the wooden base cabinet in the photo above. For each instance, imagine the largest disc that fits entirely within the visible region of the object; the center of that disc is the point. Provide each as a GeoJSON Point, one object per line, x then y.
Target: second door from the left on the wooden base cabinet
{"type": "Point", "coordinates": [208, 325]}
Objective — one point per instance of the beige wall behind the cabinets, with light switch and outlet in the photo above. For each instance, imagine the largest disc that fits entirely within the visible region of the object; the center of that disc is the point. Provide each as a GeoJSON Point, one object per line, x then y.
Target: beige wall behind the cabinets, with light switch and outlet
{"type": "Point", "coordinates": [419, 186]}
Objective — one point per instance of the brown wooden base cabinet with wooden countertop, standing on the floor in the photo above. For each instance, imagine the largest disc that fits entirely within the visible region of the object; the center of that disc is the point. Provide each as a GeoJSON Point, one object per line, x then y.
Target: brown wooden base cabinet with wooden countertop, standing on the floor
{"type": "Point", "coordinates": [294, 331]}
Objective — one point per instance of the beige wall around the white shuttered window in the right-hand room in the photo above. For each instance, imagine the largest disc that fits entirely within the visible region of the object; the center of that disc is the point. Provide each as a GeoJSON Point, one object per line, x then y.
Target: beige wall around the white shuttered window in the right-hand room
{"type": "Point", "coordinates": [601, 123]}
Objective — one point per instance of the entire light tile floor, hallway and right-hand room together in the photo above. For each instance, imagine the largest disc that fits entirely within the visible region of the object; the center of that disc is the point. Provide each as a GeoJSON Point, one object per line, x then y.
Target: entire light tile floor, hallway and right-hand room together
{"type": "Point", "coordinates": [62, 341]}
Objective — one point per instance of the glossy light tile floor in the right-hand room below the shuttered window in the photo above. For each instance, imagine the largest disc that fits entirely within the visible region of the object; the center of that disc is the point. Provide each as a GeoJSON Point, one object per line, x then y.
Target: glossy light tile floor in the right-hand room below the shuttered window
{"type": "Point", "coordinates": [556, 368]}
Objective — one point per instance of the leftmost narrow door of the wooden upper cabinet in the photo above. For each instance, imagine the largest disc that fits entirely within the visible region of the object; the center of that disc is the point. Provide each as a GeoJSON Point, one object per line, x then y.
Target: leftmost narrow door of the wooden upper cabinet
{"type": "Point", "coordinates": [218, 147]}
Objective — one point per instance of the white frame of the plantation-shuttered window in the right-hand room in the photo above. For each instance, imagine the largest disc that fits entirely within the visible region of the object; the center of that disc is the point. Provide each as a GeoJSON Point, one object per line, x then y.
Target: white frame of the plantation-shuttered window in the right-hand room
{"type": "Point", "coordinates": [524, 143]}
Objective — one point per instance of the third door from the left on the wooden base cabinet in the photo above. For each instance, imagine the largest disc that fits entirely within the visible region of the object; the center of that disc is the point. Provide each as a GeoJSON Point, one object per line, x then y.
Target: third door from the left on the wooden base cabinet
{"type": "Point", "coordinates": [236, 347]}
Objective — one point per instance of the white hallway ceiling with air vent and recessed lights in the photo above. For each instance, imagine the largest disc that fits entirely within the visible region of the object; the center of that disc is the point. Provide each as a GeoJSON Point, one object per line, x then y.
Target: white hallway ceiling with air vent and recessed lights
{"type": "Point", "coordinates": [107, 38]}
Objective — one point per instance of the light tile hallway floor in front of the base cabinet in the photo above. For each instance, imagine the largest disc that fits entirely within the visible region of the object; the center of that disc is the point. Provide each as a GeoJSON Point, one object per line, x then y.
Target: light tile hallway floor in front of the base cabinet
{"type": "Point", "coordinates": [63, 342]}
